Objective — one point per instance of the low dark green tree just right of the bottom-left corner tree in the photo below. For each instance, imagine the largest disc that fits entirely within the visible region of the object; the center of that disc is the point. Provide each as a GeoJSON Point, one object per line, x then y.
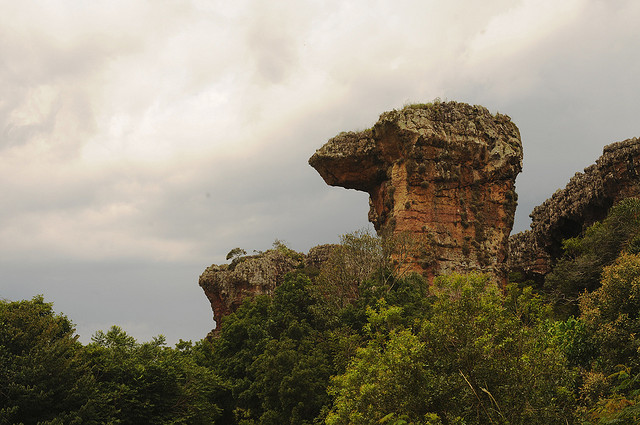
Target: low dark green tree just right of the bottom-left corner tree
{"type": "Point", "coordinates": [149, 383]}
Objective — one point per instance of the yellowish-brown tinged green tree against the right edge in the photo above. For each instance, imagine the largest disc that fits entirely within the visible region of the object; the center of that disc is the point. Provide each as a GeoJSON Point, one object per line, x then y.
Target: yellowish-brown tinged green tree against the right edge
{"type": "Point", "coordinates": [603, 344]}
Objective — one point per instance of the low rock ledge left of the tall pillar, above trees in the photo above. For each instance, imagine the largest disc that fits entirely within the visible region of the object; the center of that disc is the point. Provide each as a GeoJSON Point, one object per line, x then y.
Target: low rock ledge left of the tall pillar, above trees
{"type": "Point", "coordinates": [228, 285]}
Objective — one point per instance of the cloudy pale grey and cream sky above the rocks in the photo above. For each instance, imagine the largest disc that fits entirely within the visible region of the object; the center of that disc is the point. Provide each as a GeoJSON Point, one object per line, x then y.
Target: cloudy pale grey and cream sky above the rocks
{"type": "Point", "coordinates": [140, 141]}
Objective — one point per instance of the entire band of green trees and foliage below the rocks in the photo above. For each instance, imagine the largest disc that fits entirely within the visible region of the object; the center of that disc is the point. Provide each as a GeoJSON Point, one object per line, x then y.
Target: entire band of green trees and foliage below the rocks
{"type": "Point", "coordinates": [354, 343]}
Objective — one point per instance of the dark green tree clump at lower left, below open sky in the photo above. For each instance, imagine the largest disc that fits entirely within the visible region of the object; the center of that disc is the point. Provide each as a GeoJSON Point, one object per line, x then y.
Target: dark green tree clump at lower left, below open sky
{"type": "Point", "coordinates": [48, 377]}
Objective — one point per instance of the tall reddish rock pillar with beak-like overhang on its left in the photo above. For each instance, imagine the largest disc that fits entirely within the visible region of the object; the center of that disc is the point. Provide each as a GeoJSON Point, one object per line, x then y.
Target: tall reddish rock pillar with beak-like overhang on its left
{"type": "Point", "coordinates": [443, 173]}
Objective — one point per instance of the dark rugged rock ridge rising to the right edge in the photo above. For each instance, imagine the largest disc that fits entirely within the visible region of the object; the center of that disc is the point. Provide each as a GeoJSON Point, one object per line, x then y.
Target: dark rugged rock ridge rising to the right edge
{"type": "Point", "coordinates": [586, 199]}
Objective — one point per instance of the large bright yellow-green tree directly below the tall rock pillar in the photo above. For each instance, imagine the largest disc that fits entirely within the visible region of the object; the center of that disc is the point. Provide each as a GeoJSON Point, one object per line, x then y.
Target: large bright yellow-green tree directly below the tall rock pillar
{"type": "Point", "coordinates": [470, 360]}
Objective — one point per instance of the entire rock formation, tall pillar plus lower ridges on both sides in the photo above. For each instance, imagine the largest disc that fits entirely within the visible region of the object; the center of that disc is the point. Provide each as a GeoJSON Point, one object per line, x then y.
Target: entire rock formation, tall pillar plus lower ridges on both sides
{"type": "Point", "coordinates": [442, 176]}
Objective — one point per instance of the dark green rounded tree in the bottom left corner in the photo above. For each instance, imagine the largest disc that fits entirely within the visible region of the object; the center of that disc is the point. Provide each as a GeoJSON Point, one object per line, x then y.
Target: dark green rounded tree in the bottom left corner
{"type": "Point", "coordinates": [43, 379]}
